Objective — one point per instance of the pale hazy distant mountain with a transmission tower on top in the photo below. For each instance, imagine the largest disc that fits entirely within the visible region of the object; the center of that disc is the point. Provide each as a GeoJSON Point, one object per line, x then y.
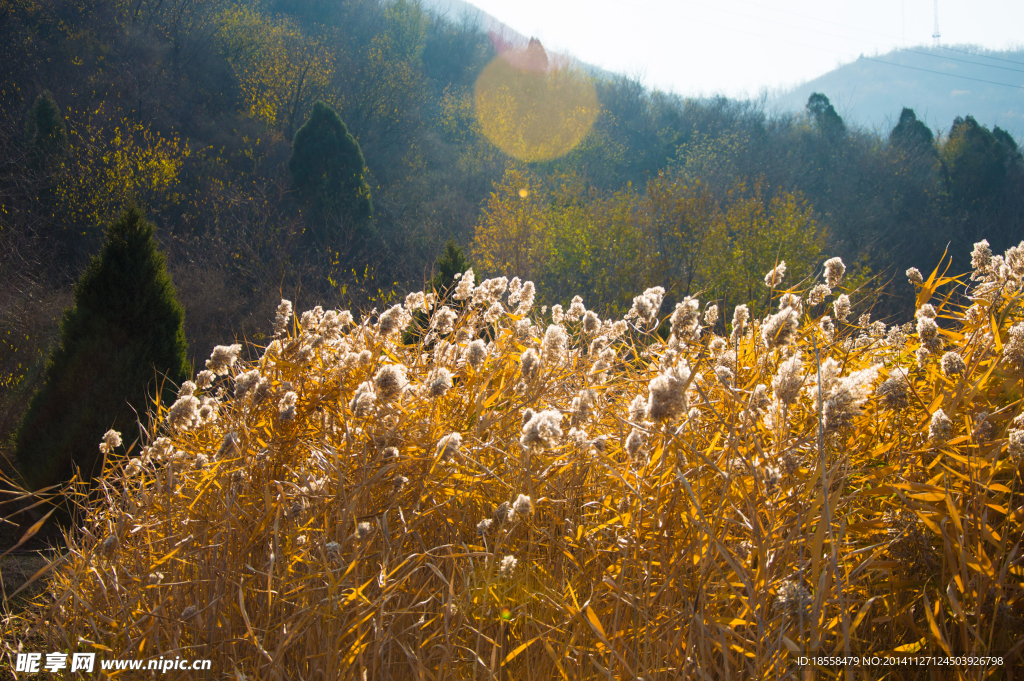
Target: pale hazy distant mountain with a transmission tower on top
{"type": "Point", "coordinates": [940, 83]}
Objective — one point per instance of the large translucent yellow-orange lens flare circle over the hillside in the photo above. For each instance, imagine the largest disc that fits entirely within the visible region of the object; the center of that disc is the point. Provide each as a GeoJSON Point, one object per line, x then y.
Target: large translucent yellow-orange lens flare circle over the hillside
{"type": "Point", "coordinates": [533, 112]}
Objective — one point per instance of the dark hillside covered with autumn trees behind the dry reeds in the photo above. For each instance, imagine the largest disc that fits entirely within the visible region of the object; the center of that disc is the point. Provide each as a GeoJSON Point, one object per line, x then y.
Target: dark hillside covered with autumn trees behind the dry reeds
{"type": "Point", "coordinates": [190, 110]}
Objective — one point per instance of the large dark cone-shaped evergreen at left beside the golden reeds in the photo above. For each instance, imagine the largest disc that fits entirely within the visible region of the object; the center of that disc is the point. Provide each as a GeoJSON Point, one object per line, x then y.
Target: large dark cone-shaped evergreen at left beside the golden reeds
{"type": "Point", "coordinates": [122, 340]}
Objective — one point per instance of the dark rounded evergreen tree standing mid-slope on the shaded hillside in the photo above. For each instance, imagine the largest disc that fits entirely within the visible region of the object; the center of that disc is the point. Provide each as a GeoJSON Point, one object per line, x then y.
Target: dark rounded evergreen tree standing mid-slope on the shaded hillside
{"type": "Point", "coordinates": [329, 172]}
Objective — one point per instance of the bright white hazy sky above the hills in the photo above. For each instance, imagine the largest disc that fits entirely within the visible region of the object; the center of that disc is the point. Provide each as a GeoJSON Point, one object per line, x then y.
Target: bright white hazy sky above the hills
{"type": "Point", "coordinates": [739, 48]}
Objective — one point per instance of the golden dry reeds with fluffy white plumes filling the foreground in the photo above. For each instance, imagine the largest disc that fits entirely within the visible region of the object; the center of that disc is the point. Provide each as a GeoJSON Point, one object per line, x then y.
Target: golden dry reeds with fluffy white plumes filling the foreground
{"type": "Point", "coordinates": [697, 507]}
